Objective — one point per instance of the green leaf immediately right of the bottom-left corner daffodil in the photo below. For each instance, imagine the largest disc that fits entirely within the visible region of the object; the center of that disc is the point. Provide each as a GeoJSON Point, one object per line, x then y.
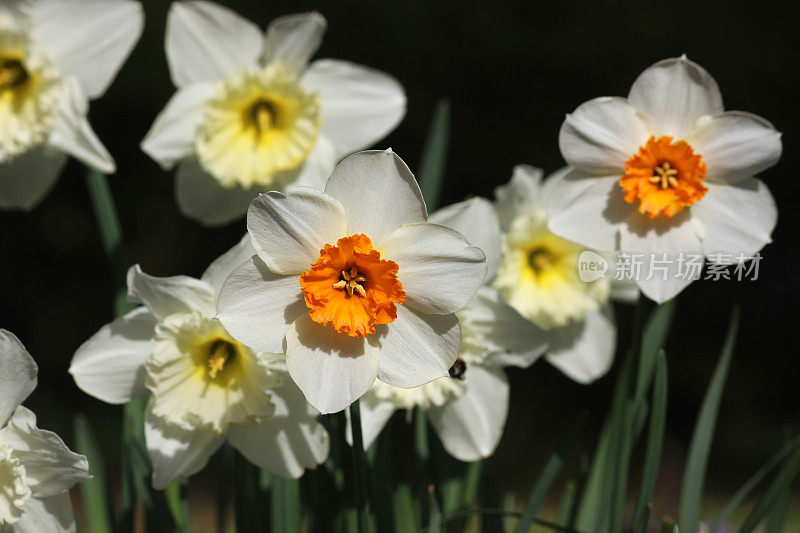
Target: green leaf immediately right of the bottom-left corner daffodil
{"type": "Point", "coordinates": [95, 490]}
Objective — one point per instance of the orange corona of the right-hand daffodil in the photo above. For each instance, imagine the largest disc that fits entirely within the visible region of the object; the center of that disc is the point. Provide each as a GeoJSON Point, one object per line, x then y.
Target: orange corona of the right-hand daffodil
{"type": "Point", "coordinates": [664, 176]}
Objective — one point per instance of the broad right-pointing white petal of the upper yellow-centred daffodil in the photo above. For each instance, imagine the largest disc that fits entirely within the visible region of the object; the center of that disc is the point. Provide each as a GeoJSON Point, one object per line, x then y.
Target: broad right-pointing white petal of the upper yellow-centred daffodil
{"type": "Point", "coordinates": [360, 105]}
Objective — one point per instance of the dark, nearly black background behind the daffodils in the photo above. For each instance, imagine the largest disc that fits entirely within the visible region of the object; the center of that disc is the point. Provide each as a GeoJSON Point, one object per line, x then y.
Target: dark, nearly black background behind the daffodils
{"type": "Point", "coordinates": [511, 71]}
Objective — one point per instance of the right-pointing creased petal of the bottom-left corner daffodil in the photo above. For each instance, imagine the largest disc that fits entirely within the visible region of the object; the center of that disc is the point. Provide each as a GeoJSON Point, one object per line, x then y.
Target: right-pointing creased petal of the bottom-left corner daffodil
{"type": "Point", "coordinates": [50, 467]}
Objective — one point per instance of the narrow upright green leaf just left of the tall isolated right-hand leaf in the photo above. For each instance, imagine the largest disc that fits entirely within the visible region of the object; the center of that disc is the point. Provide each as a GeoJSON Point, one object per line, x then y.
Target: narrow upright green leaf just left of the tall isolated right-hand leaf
{"type": "Point", "coordinates": [655, 442]}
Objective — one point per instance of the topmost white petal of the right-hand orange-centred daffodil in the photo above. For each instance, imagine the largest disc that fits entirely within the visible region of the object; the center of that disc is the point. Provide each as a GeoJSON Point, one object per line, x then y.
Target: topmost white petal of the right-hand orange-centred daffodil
{"type": "Point", "coordinates": [673, 94]}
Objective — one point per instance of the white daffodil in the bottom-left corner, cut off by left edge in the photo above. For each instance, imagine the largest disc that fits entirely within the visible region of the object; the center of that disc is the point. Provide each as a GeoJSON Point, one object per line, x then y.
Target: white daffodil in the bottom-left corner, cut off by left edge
{"type": "Point", "coordinates": [36, 467]}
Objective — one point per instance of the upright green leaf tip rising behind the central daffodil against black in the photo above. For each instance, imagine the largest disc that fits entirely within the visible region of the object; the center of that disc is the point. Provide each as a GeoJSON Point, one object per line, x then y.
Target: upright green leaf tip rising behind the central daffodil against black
{"type": "Point", "coordinates": [434, 156]}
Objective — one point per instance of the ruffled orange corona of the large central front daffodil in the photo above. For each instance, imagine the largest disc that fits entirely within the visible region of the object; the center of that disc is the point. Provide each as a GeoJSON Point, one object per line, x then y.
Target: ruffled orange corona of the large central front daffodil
{"type": "Point", "coordinates": [352, 288]}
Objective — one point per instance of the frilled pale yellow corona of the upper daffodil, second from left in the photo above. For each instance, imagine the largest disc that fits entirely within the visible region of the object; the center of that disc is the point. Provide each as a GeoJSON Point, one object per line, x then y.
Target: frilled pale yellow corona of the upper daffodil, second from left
{"type": "Point", "coordinates": [258, 125]}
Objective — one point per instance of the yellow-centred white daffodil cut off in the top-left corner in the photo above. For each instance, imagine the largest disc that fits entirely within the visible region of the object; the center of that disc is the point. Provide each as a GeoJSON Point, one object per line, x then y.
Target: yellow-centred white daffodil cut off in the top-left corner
{"type": "Point", "coordinates": [55, 56]}
